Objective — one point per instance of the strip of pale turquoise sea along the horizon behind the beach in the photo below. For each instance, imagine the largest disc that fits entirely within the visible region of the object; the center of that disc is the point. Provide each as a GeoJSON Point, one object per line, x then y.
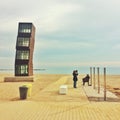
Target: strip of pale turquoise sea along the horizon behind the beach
{"type": "Point", "coordinates": [69, 70]}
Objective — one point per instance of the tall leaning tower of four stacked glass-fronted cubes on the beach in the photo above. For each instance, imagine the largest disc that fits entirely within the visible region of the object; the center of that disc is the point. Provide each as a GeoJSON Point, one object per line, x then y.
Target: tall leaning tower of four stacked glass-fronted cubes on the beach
{"type": "Point", "coordinates": [24, 49]}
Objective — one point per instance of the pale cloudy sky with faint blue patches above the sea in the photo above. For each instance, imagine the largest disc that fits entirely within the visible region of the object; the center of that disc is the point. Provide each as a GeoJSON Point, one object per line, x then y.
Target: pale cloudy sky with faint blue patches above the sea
{"type": "Point", "coordinates": [68, 32]}
